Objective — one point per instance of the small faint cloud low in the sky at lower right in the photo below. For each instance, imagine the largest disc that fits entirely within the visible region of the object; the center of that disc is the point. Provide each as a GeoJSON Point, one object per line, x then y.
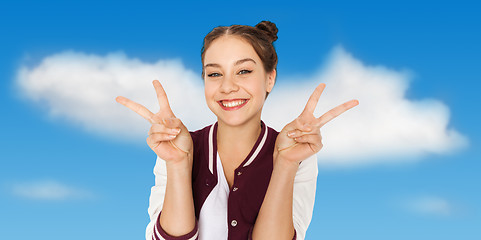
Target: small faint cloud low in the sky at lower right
{"type": "Point", "coordinates": [430, 205]}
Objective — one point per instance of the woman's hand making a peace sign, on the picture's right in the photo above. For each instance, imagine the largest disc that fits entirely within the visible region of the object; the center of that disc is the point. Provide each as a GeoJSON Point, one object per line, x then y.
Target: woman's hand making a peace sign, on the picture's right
{"type": "Point", "coordinates": [301, 138]}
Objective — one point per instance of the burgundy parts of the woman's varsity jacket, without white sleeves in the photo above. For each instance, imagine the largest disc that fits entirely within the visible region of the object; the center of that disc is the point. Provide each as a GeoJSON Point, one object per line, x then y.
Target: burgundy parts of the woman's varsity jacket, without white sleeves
{"type": "Point", "coordinates": [246, 195]}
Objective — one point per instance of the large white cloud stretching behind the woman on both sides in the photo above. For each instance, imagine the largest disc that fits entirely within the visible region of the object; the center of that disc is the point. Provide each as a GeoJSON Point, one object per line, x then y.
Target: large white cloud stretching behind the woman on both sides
{"type": "Point", "coordinates": [386, 126]}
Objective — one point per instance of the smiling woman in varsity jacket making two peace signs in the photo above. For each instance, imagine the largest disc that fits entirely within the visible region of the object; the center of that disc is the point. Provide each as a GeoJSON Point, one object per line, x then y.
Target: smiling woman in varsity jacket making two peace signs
{"type": "Point", "coordinates": [238, 178]}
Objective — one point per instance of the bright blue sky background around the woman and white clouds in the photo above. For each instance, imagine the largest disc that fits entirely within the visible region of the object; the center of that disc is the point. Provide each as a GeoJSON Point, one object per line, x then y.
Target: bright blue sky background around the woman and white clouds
{"type": "Point", "coordinates": [101, 180]}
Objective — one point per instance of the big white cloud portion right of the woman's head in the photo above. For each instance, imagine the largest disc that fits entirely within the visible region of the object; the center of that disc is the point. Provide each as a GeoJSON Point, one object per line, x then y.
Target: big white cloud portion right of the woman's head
{"type": "Point", "coordinates": [385, 126]}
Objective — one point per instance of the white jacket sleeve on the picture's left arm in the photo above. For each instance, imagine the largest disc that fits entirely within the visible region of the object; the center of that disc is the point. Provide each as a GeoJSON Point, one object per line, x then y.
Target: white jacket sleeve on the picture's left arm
{"type": "Point", "coordinates": [157, 194]}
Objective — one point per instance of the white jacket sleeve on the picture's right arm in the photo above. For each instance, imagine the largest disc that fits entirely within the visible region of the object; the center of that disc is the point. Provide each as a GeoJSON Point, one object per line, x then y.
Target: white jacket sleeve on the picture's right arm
{"type": "Point", "coordinates": [304, 195]}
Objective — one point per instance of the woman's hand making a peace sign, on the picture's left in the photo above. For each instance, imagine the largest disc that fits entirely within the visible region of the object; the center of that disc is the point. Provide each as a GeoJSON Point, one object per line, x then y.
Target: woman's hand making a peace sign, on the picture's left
{"type": "Point", "coordinates": [168, 137]}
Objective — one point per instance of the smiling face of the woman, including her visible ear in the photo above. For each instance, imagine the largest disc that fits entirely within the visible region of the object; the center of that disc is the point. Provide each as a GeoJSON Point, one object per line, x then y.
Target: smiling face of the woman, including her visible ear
{"type": "Point", "coordinates": [235, 81]}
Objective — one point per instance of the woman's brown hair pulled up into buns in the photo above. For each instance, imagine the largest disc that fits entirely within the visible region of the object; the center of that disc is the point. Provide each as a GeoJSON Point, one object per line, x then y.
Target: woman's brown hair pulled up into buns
{"type": "Point", "coordinates": [261, 37]}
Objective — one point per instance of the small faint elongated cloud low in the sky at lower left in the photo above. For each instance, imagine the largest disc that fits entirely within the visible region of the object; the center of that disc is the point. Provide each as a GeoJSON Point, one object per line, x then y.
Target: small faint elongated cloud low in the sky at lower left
{"type": "Point", "coordinates": [48, 190]}
